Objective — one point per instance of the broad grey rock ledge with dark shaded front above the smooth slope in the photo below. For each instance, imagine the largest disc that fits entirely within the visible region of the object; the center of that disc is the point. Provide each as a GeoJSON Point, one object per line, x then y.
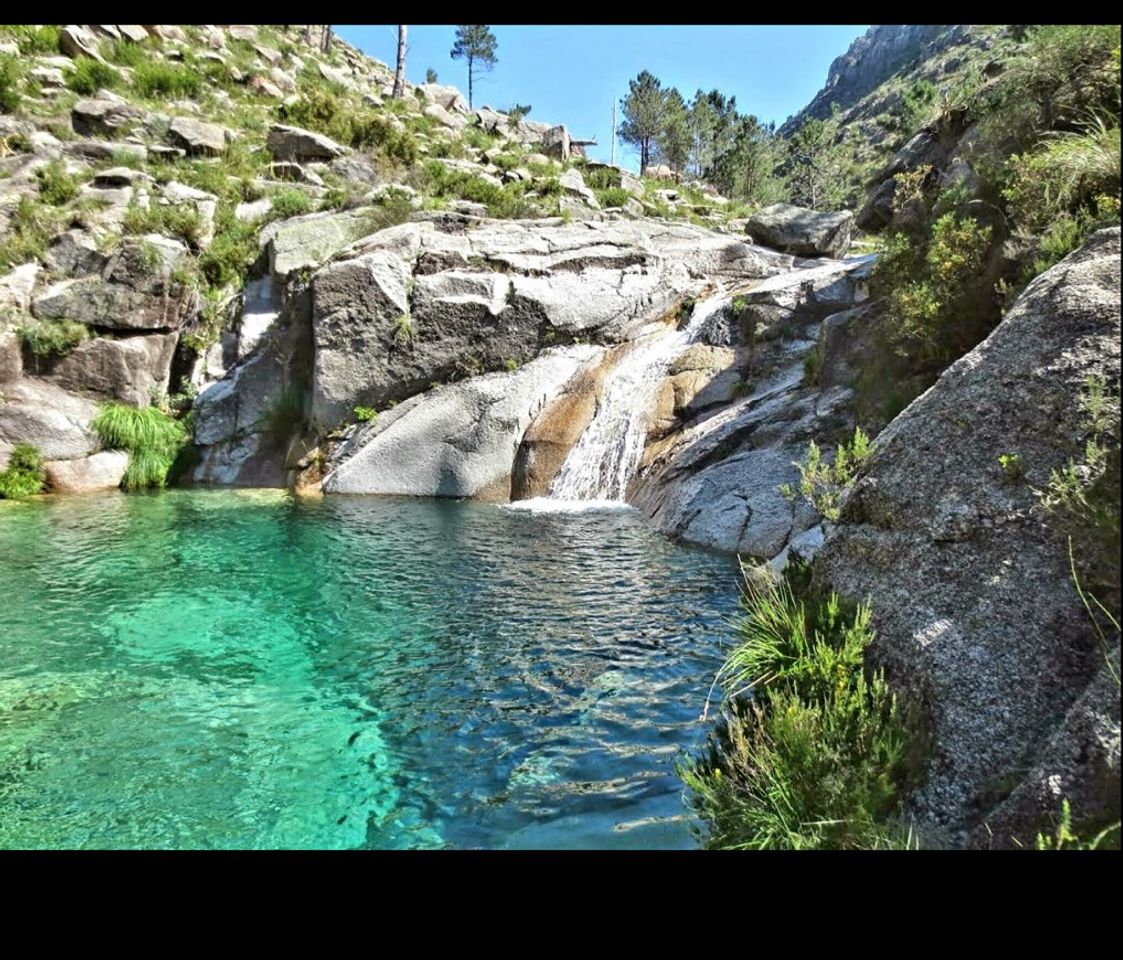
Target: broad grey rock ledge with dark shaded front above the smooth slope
{"type": "Point", "coordinates": [416, 305]}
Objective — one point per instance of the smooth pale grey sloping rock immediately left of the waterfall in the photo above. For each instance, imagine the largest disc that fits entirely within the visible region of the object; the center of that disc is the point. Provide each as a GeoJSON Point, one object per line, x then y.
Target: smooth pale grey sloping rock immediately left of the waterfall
{"type": "Point", "coordinates": [459, 441]}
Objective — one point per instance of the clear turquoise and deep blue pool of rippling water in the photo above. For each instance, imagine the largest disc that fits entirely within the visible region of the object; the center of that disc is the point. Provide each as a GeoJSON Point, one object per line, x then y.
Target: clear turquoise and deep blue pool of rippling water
{"type": "Point", "coordinates": [196, 670]}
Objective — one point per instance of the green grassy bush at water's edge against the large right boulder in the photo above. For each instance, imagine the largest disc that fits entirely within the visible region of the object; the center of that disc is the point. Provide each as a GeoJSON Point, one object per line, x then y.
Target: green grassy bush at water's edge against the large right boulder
{"type": "Point", "coordinates": [814, 749]}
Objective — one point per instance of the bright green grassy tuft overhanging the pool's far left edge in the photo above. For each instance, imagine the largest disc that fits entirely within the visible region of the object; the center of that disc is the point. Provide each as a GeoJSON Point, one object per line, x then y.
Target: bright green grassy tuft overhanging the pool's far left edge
{"type": "Point", "coordinates": [152, 438]}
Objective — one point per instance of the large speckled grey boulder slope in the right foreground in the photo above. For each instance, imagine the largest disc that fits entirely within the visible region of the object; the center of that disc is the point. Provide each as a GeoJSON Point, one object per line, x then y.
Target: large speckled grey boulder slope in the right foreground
{"type": "Point", "coordinates": [970, 580]}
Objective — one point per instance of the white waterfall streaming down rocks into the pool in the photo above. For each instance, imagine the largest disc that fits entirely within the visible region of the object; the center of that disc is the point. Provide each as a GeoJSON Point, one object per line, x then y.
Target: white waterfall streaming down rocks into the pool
{"type": "Point", "coordinates": [607, 456]}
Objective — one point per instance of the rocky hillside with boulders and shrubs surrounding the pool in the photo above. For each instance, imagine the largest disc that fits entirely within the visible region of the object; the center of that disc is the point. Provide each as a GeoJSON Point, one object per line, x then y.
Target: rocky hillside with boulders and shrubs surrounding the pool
{"type": "Point", "coordinates": [229, 258]}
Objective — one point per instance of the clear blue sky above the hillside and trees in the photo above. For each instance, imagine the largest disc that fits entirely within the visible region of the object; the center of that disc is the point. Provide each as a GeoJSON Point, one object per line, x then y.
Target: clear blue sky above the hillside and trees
{"type": "Point", "coordinates": [572, 75]}
